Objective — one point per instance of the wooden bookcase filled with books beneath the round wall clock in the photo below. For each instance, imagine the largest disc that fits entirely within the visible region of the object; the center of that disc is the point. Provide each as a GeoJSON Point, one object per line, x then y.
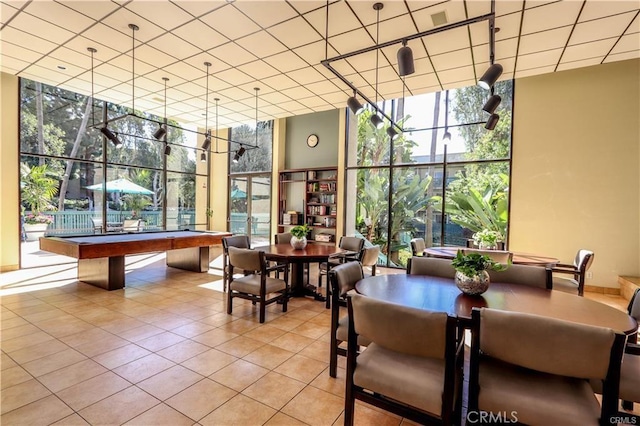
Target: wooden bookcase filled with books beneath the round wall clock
{"type": "Point", "coordinates": [313, 195]}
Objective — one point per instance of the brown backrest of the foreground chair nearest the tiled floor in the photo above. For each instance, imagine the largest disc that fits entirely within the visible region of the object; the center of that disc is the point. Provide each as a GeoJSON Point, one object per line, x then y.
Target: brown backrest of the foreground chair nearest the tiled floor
{"type": "Point", "coordinates": [396, 327]}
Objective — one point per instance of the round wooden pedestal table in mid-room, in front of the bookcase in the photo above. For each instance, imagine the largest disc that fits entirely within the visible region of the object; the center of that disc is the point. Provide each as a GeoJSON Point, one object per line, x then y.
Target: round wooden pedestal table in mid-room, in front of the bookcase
{"type": "Point", "coordinates": [311, 253]}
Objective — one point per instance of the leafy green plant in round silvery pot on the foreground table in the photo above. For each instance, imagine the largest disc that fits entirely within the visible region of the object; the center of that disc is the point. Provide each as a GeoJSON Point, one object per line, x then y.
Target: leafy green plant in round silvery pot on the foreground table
{"type": "Point", "coordinates": [472, 277]}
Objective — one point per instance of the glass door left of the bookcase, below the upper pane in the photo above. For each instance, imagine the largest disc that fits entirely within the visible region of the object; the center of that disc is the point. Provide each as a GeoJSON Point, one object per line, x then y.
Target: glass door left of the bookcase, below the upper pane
{"type": "Point", "coordinates": [250, 207]}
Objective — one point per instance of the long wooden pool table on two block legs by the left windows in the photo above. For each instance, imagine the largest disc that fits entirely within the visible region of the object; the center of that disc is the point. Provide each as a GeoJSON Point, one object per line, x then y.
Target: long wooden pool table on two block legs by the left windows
{"type": "Point", "coordinates": [101, 257]}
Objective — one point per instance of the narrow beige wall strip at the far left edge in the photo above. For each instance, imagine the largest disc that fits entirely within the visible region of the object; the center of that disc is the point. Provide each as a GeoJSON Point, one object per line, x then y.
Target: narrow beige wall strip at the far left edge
{"type": "Point", "coordinates": [9, 208]}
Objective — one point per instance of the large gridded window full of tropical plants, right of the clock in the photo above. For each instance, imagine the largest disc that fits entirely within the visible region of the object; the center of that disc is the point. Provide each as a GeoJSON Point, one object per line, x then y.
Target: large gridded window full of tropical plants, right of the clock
{"type": "Point", "coordinates": [423, 184]}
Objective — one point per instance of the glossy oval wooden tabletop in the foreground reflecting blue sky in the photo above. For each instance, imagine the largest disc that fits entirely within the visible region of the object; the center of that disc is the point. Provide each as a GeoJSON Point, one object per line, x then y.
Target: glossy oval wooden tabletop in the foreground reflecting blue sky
{"type": "Point", "coordinates": [442, 295]}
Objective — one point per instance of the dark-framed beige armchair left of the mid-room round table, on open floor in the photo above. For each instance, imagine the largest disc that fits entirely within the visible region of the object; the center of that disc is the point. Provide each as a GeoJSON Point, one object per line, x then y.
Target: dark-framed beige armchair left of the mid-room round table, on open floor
{"type": "Point", "coordinates": [257, 286]}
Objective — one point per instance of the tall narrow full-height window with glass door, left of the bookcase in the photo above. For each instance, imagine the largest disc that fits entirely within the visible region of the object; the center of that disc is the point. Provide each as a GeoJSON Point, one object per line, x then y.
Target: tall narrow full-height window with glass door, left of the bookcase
{"type": "Point", "coordinates": [250, 164]}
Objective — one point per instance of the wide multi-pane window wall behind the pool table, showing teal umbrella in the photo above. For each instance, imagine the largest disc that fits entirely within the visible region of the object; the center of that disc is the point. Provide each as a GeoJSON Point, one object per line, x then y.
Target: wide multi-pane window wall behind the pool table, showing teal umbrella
{"type": "Point", "coordinates": [79, 179]}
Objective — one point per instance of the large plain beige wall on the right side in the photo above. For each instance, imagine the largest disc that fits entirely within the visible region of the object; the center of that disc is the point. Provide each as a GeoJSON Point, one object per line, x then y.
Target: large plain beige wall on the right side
{"type": "Point", "coordinates": [575, 178]}
